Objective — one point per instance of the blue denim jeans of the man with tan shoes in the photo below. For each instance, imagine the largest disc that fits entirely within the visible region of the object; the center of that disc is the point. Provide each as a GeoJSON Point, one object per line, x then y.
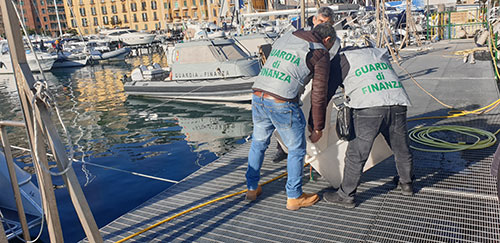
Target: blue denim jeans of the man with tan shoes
{"type": "Point", "coordinates": [287, 118]}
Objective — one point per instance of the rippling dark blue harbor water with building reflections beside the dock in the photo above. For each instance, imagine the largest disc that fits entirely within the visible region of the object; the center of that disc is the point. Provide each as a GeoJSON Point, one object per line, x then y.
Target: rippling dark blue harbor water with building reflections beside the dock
{"type": "Point", "coordinates": [158, 138]}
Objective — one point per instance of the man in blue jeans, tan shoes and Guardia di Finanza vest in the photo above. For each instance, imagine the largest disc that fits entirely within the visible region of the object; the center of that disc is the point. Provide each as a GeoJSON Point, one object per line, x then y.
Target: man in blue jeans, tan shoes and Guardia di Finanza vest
{"type": "Point", "coordinates": [275, 106]}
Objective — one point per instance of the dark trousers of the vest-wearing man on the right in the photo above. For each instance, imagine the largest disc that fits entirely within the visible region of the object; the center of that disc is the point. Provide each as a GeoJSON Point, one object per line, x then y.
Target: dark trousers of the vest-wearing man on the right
{"type": "Point", "coordinates": [368, 123]}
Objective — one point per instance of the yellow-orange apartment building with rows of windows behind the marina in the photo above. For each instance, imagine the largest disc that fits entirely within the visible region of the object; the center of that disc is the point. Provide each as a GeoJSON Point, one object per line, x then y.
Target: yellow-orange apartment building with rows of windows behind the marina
{"type": "Point", "coordinates": [89, 16]}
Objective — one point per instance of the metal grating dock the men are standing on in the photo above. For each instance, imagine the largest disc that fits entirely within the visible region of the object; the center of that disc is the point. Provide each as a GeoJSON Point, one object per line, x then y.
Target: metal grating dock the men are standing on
{"type": "Point", "coordinates": [455, 200]}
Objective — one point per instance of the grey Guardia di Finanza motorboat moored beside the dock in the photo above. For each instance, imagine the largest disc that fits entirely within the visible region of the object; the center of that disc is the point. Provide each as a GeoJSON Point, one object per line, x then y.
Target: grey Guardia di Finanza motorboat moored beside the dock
{"type": "Point", "coordinates": [201, 70]}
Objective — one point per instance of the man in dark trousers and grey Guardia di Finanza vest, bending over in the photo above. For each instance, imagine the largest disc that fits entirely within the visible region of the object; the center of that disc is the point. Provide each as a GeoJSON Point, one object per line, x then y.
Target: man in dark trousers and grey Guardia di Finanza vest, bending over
{"type": "Point", "coordinates": [379, 104]}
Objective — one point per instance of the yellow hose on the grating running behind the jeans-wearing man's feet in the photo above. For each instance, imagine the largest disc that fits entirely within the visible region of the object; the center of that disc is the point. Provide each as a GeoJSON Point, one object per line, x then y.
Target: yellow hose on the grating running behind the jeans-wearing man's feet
{"type": "Point", "coordinates": [202, 205]}
